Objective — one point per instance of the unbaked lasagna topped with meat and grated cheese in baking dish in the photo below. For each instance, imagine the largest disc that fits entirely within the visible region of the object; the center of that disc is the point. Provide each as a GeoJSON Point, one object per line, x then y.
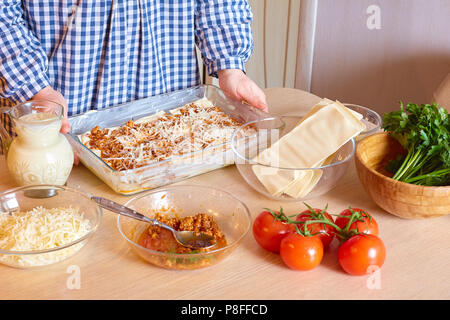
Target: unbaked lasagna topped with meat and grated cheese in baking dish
{"type": "Point", "coordinates": [192, 127]}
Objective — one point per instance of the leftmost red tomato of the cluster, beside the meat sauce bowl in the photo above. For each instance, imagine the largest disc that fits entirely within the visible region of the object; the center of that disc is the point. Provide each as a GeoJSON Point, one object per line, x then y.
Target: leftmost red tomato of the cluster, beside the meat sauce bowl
{"type": "Point", "coordinates": [269, 232]}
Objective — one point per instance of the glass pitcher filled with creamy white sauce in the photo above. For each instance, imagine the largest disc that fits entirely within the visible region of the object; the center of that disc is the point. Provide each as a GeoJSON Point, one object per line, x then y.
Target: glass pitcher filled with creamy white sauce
{"type": "Point", "coordinates": [39, 154]}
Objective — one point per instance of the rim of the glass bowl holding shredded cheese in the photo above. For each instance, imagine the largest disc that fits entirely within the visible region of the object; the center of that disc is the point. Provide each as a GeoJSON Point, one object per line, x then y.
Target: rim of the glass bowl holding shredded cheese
{"type": "Point", "coordinates": [99, 215]}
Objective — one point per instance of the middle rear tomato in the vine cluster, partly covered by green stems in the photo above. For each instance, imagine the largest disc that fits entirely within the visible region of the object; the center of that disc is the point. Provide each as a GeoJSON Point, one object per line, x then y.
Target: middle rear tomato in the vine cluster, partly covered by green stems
{"type": "Point", "coordinates": [326, 231]}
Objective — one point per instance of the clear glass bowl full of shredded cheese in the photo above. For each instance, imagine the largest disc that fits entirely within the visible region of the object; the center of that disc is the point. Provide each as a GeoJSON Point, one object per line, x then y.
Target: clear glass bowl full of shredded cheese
{"type": "Point", "coordinates": [43, 225]}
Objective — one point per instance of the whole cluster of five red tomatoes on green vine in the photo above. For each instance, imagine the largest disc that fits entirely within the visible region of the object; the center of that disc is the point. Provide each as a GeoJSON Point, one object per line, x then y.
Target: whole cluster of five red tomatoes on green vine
{"type": "Point", "coordinates": [301, 241]}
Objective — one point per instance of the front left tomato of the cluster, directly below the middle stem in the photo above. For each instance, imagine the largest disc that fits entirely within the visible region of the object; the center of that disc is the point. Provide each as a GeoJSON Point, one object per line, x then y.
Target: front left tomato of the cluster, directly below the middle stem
{"type": "Point", "coordinates": [301, 253]}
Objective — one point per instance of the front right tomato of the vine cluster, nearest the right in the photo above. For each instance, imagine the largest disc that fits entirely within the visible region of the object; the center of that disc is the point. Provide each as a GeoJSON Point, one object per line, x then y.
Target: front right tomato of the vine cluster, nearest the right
{"type": "Point", "coordinates": [360, 253]}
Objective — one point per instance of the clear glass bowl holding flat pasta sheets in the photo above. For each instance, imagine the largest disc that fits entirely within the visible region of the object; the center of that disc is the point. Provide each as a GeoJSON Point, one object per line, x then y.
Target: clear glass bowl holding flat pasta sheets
{"type": "Point", "coordinates": [274, 168]}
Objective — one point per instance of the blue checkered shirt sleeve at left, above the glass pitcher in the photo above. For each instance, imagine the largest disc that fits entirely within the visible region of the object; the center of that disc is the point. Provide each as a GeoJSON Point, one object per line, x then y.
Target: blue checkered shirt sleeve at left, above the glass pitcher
{"type": "Point", "coordinates": [23, 62]}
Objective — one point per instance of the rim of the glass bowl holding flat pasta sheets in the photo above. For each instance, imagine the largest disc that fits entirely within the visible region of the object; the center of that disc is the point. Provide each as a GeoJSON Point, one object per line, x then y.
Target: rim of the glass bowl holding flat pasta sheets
{"type": "Point", "coordinates": [252, 162]}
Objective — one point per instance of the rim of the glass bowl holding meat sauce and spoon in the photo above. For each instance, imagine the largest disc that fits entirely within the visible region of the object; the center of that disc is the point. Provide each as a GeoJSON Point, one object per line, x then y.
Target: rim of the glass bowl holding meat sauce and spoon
{"type": "Point", "coordinates": [183, 255]}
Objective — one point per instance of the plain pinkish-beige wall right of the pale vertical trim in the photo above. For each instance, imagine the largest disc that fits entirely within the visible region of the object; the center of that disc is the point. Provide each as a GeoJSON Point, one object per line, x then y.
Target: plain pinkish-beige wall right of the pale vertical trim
{"type": "Point", "coordinates": [405, 60]}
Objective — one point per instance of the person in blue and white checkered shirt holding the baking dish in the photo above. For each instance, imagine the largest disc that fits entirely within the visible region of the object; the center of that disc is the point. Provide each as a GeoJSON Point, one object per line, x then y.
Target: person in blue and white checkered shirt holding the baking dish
{"type": "Point", "coordinates": [89, 55]}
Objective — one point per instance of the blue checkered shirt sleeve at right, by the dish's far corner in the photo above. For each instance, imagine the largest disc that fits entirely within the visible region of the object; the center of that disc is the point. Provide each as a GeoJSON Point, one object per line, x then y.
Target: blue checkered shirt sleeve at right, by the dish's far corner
{"type": "Point", "coordinates": [223, 33]}
